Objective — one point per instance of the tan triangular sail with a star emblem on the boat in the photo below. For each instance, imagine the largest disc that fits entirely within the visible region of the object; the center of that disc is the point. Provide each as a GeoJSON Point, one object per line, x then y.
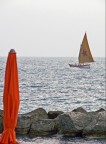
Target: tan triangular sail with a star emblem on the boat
{"type": "Point", "coordinates": [85, 53]}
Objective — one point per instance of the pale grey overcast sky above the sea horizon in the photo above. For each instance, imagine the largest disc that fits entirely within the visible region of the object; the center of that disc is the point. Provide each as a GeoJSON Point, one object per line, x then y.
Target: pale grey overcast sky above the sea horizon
{"type": "Point", "coordinates": [51, 27]}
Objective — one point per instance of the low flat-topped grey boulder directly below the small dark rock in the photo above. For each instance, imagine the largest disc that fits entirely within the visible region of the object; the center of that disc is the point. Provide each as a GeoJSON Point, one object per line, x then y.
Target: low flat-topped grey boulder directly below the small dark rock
{"type": "Point", "coordinates": [43, 127]}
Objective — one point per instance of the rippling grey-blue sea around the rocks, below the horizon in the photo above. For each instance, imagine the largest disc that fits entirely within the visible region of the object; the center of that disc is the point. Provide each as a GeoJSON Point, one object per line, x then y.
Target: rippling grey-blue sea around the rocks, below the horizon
{"type": "Point", "coordinates": [49, 83]}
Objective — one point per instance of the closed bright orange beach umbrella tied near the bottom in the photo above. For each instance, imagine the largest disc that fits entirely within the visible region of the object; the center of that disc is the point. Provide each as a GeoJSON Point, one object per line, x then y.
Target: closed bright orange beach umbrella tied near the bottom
{"type": "Point", "coordinates": [11, 100]}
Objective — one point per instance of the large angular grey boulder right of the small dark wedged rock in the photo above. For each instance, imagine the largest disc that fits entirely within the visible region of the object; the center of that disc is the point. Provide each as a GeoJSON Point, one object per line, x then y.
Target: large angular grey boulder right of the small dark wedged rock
{"type": "Point", "coordinates": [72, 124]}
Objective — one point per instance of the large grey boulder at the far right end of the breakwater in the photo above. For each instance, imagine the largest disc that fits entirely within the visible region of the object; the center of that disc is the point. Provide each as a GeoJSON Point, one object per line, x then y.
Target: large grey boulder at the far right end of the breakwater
{"type": "Point", "coordinates": [97, 127]}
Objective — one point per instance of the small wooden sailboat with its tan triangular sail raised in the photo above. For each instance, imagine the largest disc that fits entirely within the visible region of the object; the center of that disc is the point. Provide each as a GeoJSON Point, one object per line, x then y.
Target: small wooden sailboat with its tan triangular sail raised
{"type": "Point", "coordinates": [85, 56]}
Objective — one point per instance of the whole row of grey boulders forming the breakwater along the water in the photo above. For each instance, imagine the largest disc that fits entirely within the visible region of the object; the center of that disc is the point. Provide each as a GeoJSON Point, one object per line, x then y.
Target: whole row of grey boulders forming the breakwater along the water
{"type": "Point", "coordinates": [78, 122]}
